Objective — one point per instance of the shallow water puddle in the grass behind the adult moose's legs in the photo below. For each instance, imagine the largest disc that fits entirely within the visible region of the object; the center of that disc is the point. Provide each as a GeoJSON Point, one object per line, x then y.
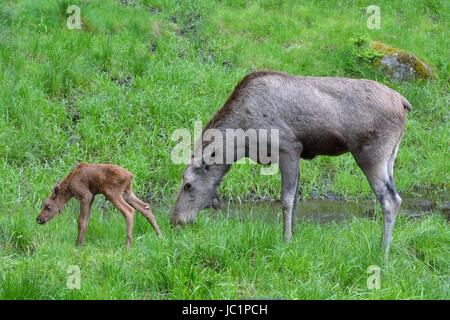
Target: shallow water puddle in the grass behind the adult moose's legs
{"type": "Point", "coordinates": [324, 210]}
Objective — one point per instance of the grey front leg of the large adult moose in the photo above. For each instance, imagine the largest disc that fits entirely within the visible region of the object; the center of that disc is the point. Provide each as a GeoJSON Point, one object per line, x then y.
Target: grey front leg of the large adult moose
{"type": "Point", "coordinates": [289, 168]}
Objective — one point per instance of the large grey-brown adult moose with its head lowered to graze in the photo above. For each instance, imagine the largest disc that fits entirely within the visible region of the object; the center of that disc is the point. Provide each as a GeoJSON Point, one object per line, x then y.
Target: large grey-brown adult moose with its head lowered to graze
{"type": "Point", "coordinates": [314, 116]}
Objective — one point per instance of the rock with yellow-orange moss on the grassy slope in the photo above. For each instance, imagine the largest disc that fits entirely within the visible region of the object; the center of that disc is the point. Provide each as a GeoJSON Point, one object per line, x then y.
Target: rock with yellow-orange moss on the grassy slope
{"type": "Point", "coordinates": [398, 64]}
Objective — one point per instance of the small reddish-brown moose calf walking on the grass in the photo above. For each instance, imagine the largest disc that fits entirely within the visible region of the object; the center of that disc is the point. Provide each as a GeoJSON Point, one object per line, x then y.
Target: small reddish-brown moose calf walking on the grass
{"type": "Point", "coordinates": [87, 180]}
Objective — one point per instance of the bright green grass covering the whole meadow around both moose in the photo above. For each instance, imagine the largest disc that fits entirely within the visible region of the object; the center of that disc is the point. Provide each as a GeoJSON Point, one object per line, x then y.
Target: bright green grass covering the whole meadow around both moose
{"type": "Point", "coordinates": [102, 94]}
